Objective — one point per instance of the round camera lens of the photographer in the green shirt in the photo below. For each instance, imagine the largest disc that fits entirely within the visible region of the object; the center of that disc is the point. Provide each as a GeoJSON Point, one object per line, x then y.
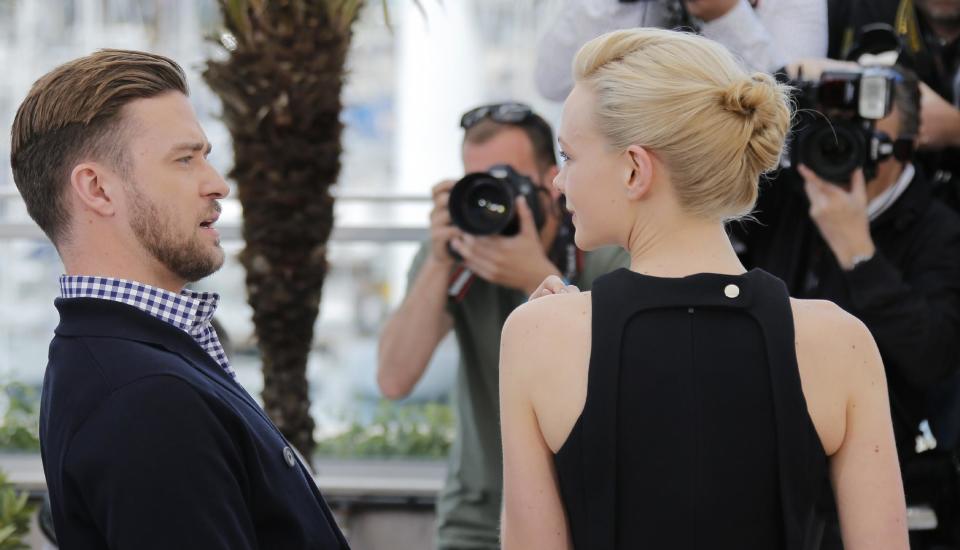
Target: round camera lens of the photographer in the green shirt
{"type": "Point", "coordinates": [481, 205]}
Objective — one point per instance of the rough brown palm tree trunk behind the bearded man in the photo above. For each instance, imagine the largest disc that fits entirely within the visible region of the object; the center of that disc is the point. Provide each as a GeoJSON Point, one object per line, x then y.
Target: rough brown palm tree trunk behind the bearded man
{"type": "Point", "coordinates": [280, 88]}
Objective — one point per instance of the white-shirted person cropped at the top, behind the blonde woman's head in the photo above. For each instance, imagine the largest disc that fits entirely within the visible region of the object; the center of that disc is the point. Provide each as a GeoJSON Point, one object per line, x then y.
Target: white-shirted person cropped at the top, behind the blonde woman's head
{"type": "Point", "coordinates": [767, 34]}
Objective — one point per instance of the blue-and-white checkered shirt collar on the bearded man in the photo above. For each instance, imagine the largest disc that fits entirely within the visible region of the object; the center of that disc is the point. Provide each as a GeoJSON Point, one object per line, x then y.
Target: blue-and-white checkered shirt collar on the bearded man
{"type": "Point", "coordinates": [189, 311]}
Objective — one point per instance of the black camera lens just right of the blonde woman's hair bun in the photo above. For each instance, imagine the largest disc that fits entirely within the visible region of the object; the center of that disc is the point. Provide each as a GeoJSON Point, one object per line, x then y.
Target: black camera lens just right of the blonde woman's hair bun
{"type": "Point", "coordinates": [833, 151]}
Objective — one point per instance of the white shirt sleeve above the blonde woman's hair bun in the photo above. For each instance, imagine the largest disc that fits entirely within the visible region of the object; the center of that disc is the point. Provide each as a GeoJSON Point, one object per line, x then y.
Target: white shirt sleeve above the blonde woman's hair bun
{"type": "Point", "coordinates": [774, 34]}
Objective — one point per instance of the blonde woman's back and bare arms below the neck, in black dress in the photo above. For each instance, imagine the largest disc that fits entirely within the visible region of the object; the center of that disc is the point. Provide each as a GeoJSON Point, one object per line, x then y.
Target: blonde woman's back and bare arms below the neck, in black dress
{"type": "Point", "coordinates": [710, 430]}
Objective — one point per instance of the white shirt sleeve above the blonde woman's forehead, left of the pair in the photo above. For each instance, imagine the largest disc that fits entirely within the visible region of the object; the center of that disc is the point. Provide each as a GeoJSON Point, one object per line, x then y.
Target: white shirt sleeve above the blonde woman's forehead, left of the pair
{"type": "Point", "coordinates": [576, 23]}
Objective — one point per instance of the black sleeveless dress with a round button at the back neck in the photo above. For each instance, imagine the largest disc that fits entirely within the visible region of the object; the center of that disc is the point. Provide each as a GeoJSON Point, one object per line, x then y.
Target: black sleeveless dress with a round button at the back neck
{"type": "Point", "coordinates": [695, 433]}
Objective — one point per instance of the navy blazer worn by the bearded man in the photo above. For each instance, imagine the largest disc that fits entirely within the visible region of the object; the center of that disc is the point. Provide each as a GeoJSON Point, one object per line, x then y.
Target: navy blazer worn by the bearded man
{"type": "Point", "coordinates": [148, 443]}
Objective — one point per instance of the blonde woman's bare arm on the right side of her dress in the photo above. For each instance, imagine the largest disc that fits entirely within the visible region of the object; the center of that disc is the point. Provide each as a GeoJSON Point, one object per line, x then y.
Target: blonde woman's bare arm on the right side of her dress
{"type": "Point", "coordinates": [865, 471]}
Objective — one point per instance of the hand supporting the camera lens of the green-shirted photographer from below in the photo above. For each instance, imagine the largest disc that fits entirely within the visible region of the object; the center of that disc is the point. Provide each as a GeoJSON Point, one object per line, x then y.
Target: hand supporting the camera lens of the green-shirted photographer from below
{"type": "Point", "coordinates": [518, 262]}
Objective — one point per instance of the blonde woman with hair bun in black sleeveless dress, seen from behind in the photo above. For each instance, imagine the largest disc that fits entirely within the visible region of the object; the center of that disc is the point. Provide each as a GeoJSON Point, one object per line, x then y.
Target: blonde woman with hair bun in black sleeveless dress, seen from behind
{"type": "Point", "coordinates": [697, 425]}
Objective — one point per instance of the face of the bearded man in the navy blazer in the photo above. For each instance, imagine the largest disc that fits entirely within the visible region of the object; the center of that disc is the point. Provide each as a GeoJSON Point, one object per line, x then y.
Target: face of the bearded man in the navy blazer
{"type": "Point", "coordinates": [172, 190]}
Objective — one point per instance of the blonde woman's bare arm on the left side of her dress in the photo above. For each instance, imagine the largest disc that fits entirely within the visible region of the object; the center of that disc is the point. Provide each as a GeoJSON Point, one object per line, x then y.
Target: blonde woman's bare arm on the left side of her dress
{"type": "Point", "coordinates": [533, 515]}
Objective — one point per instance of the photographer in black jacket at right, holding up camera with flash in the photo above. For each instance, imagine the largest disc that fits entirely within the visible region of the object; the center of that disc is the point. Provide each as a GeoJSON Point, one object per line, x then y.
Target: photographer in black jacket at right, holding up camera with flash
{"type": "Point", "coordinates": [882, 249]}
